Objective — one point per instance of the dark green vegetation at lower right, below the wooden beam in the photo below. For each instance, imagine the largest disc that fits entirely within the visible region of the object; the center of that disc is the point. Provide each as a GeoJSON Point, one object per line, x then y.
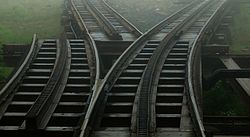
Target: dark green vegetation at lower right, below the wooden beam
{"type": "Point", "coordinates": [222, 100]}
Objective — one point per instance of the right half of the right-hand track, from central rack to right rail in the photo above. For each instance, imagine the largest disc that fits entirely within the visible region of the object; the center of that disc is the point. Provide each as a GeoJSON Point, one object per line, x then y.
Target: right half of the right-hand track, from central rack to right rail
{"type": "Point", "coordinates": [164, 83]}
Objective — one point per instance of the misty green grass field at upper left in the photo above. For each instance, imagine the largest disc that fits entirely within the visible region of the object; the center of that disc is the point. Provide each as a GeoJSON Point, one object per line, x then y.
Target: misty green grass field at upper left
{"type": "Point", "coordinates": [20, 19]}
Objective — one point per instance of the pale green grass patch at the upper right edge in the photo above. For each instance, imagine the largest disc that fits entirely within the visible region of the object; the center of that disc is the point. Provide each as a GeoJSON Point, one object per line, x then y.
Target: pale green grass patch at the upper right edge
{"type": "Point", "coordinates": [241, 30]}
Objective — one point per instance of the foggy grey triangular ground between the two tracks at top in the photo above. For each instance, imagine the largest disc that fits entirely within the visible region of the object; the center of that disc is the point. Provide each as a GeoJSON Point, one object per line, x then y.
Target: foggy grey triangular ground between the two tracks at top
{"type": "Point", "coordinates": [146, 13]}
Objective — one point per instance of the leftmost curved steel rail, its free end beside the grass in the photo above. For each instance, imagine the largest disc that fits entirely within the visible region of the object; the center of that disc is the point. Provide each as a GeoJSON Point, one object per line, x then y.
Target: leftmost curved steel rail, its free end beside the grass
{"type": "Point", "coordinates": [9, 86]}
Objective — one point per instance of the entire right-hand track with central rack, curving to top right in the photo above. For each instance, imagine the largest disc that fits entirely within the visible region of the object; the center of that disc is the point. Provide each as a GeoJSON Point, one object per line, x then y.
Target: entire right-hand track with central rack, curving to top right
{"type": "Point", "coordinates": [146, 92]}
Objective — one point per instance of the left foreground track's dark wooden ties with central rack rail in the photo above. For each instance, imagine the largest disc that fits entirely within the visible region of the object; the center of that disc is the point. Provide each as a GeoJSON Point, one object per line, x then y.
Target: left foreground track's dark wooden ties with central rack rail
{"type": "Point", "coordinates": [53, 93]}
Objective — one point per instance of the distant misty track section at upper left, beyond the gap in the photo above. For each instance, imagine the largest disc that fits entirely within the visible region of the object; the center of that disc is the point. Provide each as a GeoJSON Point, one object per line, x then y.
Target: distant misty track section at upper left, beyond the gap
{"type": "Point", "coordinates": [102, 21]}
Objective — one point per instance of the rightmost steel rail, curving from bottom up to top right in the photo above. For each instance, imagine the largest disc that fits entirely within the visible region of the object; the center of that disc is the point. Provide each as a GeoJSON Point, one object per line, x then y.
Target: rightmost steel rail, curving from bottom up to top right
{"type": "Point", "coordinates": [190, 67]}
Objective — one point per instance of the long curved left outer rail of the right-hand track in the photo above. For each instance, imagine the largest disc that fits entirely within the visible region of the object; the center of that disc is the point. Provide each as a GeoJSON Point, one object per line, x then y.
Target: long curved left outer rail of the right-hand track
{"type": "Point", "coordinates": [114, 71]}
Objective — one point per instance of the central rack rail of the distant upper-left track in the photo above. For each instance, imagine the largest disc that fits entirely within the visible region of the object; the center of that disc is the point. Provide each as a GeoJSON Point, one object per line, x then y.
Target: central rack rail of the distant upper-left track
{"type": "Point", "coordinates": [106, 24]}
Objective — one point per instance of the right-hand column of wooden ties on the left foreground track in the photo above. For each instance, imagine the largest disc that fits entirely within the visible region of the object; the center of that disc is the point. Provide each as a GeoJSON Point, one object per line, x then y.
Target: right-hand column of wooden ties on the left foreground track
{"type": "Point", "coordinates": [73, 94]}
